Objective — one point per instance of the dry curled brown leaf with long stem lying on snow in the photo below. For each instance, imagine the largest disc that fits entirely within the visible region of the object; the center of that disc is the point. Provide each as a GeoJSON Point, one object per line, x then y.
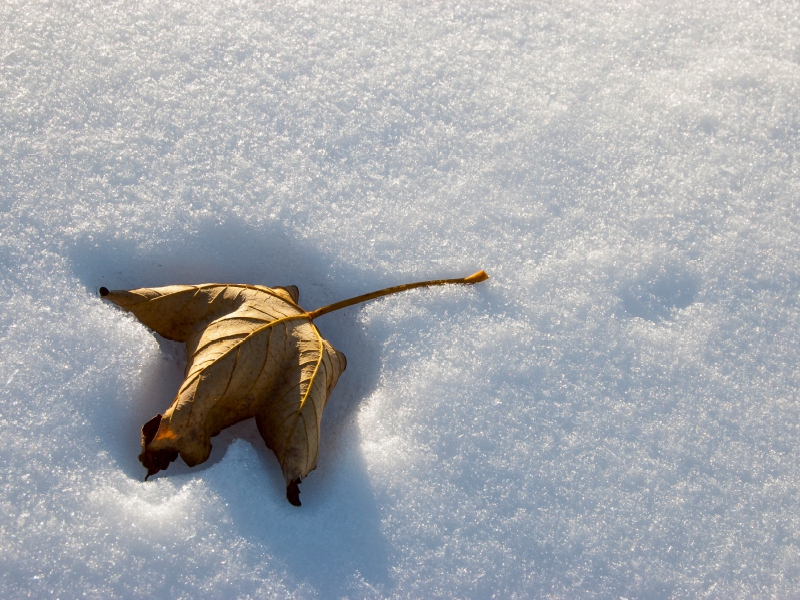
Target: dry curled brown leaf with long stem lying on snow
{"type": "Point", "coordinates": [251, 352]}
